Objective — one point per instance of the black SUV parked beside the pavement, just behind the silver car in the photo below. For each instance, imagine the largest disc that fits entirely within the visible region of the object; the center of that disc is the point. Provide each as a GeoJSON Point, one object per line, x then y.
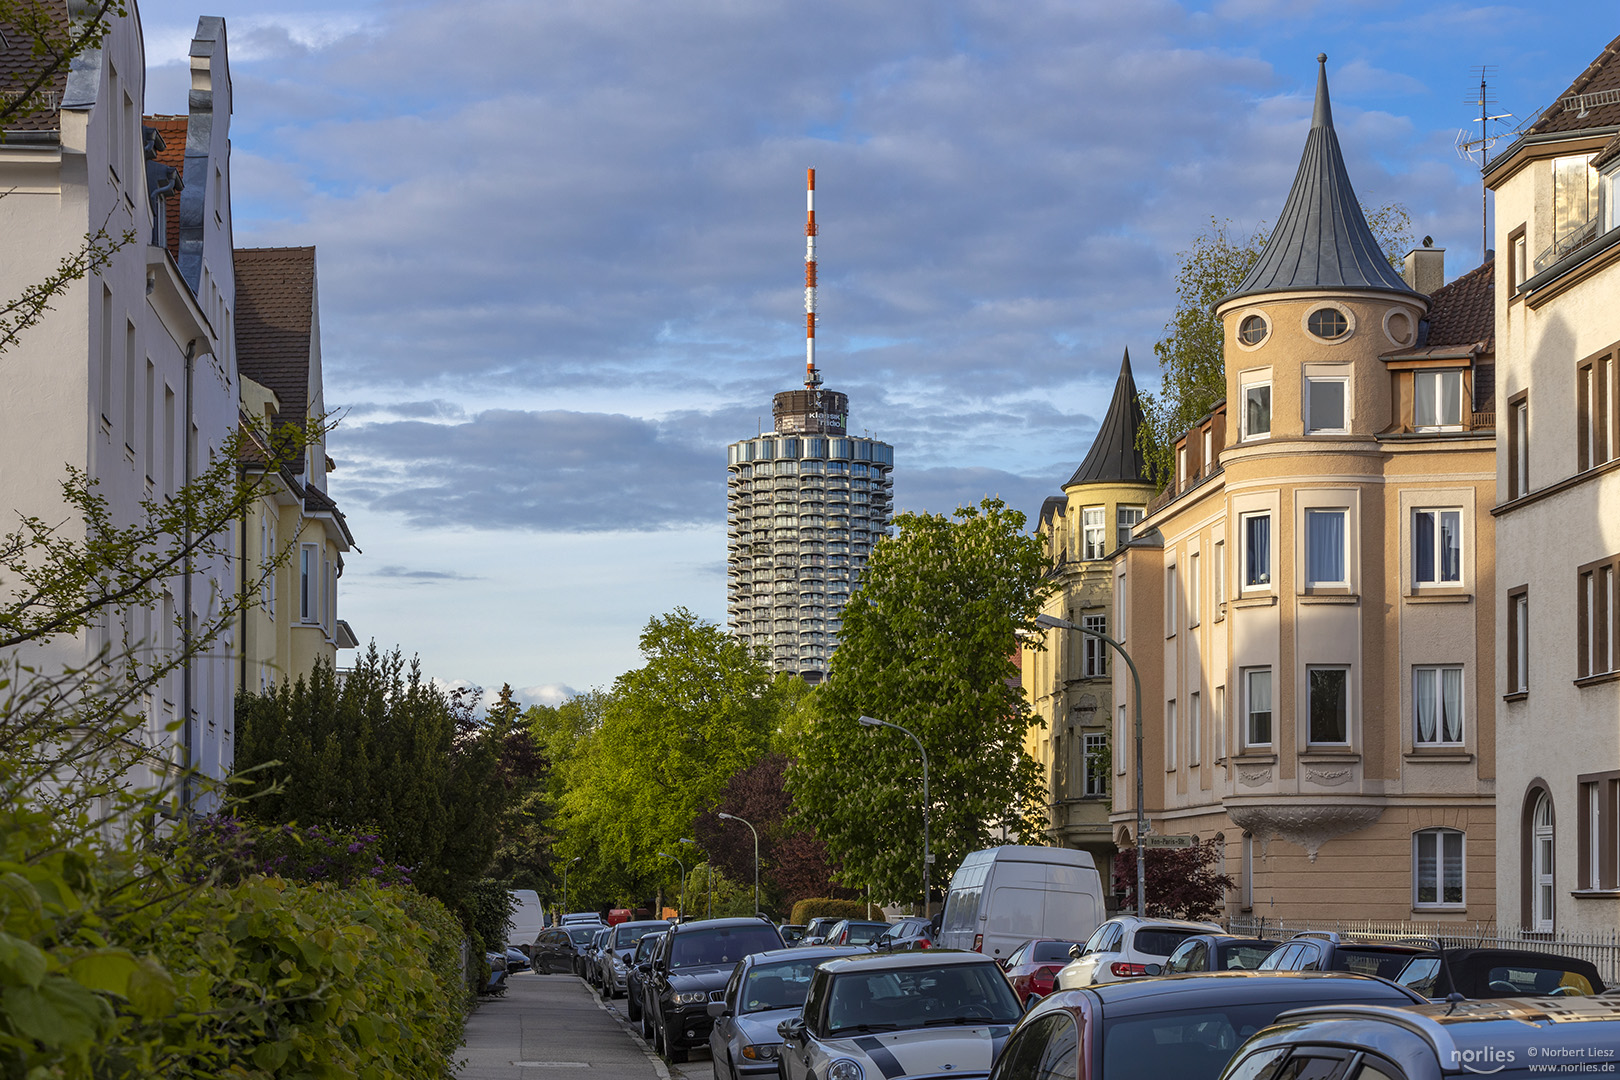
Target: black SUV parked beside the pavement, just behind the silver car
{"type": "Point", "coordinates": [689, 969]}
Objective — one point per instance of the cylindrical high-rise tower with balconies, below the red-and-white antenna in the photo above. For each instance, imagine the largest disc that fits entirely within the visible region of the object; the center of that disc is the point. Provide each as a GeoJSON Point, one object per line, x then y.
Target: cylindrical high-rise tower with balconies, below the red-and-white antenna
{"type": "Point", "coordinates": [806, 504]}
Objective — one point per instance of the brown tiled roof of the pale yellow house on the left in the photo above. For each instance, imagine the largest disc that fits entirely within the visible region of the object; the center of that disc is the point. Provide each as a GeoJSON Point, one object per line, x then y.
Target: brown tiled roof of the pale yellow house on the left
{"type": "Point", "coordinates": [275, 325]}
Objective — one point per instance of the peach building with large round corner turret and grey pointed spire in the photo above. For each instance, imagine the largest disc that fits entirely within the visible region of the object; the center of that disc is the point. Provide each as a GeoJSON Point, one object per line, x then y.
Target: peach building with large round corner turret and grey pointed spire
{"type": "Point", "coordinates": [1311, 602]}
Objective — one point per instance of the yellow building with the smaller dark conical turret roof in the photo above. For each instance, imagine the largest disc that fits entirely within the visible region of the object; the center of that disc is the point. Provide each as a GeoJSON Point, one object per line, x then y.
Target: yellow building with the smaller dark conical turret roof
{"type": "Point", "coordinates": [1067, 676]}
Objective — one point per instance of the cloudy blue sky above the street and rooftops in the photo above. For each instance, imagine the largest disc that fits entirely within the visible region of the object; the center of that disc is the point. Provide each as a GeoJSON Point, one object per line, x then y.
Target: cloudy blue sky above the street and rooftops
{"type": "Point", "coordinates": [560, 252]}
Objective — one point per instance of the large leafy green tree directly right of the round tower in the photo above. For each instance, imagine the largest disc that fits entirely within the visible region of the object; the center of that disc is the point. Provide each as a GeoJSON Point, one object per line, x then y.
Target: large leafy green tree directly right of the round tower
{"type": "Point", "coordinates": [927, 644]}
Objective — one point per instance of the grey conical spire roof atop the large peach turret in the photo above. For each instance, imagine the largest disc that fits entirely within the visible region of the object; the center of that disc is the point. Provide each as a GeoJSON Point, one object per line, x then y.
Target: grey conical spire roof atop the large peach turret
{"type": "Point", "coordinates": [1321, 237]}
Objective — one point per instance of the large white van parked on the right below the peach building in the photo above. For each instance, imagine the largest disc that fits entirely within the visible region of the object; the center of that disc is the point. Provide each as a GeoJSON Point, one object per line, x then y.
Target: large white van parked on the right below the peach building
{"type": "Point", "coordinates": [1004, 896]}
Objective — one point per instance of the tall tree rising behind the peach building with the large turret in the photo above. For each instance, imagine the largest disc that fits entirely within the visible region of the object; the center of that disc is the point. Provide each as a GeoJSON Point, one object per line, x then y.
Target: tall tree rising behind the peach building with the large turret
{"type": "Point", "coordinates": [1192, 355]}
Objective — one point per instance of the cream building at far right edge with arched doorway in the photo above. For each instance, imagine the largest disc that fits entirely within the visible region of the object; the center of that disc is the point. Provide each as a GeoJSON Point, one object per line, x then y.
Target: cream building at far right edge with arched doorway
{"type": "Point", "coordinates": [1558, 511]}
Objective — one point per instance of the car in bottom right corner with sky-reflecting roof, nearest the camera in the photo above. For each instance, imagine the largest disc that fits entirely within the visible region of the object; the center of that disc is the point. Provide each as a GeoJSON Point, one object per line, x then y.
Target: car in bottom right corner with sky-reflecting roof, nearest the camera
{"type": "Point", "coordinates": [1506, 1037]}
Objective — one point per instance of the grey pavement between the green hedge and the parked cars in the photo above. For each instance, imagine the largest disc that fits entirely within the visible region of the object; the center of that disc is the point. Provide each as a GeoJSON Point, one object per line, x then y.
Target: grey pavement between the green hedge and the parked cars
{"type": "Point", "coordinates": [556, 1027]}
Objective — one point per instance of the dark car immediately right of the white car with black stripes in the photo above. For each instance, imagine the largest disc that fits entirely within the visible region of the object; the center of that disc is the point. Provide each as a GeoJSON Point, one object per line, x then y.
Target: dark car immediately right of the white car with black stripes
{"type": "Point", "coordinates": [1183, 1027]}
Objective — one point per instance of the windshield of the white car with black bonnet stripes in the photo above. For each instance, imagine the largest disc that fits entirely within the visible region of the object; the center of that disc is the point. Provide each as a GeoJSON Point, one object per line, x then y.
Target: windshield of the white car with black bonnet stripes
{"type": "Point", "coordinates": [921, 997]}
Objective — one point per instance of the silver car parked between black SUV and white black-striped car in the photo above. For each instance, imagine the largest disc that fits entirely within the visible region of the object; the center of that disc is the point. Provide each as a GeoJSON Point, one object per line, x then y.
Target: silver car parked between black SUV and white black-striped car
{"type": "Point", "coordinates": [765, 990]}
